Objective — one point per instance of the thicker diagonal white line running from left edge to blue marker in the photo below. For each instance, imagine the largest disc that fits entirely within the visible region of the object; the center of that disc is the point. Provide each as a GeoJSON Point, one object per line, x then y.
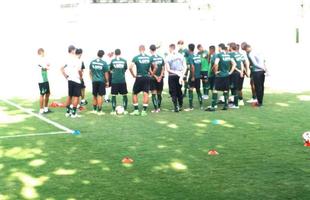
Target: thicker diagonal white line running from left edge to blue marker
{"type": "Point", "coordinates": [57, 125]}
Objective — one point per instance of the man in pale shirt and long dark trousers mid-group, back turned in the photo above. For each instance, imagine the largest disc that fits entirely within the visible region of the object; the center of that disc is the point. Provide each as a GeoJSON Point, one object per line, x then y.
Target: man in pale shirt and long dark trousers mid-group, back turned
{"type": "Point", "coordinates": [176, 67]}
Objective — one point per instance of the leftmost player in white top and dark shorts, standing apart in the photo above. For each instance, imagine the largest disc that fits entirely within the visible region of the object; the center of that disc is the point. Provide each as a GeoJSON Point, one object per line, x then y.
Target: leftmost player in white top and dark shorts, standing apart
{"type": "Point", "coordinates": [44, 87]}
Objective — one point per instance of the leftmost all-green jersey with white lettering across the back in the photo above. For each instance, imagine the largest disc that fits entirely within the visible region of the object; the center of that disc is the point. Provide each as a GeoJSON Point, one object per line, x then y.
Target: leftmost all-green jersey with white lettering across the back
{"type": "Point", "coordinates": [98, 68]}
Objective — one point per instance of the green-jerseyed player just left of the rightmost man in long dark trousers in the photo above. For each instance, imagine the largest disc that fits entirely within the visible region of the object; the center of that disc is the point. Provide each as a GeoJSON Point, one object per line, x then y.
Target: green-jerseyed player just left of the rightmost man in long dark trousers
{"type": "Point", "coordinates": [236, 78]}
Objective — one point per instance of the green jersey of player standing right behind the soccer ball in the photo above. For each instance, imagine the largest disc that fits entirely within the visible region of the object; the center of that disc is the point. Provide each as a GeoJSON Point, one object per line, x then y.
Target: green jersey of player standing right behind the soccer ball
{"type": "Point", "coordinates": [118, 68]}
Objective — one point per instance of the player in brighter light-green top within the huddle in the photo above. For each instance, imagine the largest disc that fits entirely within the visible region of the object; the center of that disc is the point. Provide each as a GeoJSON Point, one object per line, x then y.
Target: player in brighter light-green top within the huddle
{"type": "Point", "coordinates": [205, 69]}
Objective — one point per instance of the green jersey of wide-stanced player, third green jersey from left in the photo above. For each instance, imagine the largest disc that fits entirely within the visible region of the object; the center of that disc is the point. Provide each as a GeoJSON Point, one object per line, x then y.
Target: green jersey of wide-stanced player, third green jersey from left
{"type": "Point", "coordinates": [143, 63]}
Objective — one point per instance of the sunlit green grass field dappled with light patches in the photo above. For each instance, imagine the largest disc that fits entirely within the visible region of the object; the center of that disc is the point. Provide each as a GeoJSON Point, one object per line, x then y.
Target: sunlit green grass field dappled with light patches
{"type": "Point", "coordinates": [261, 154]}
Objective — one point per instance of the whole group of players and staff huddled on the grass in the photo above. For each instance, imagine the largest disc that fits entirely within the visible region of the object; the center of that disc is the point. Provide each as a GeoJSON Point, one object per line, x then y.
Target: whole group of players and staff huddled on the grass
{"type": "Point", "coordinates": [221, 71]}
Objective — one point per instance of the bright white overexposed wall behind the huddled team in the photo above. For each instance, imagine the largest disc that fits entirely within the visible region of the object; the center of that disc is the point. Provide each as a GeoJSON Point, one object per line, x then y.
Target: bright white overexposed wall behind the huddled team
{"type": "Point", "coordinates": [28, 25]}
